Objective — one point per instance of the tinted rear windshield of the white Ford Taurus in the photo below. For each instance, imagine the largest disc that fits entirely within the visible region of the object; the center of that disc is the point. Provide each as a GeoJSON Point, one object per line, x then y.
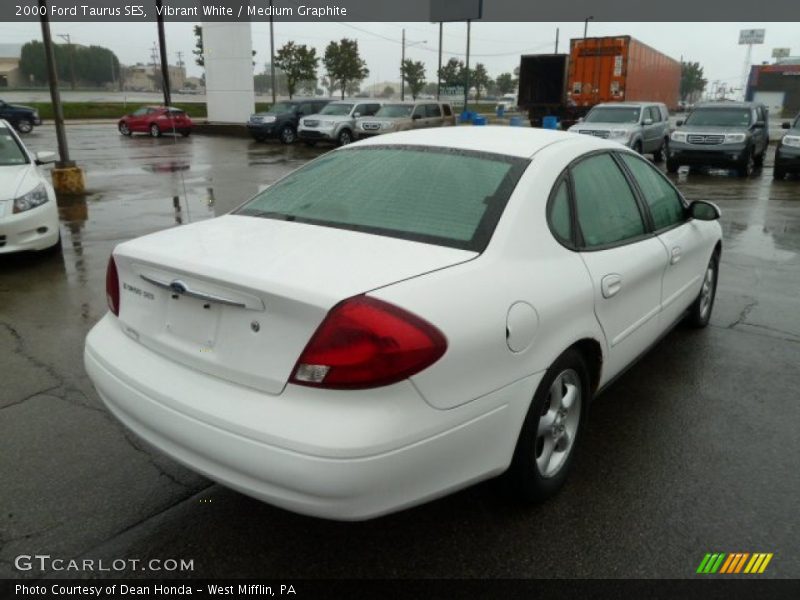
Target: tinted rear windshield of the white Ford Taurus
{"type": "Point", "coordinates": [433, 195]}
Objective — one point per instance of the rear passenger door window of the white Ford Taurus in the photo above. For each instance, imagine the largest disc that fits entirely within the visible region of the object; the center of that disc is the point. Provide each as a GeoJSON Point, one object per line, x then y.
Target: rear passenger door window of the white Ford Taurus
{"type": "Point", "coordinates": [606, 207]}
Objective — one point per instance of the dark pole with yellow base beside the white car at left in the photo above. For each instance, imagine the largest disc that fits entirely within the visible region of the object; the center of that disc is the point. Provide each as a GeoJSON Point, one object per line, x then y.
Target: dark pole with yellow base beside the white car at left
{"type": "Point", "coordinates": [67, 177]}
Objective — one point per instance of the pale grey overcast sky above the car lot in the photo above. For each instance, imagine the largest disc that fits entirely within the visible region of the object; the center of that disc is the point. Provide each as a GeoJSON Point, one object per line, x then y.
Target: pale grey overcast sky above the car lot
{"type": "Point", "coordinates": [497, 45]}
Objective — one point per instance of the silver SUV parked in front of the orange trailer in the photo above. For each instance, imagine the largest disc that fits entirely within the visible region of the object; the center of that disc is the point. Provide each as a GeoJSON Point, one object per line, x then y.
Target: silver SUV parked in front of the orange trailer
{"type": "Point", "coordinates": [643, 126]}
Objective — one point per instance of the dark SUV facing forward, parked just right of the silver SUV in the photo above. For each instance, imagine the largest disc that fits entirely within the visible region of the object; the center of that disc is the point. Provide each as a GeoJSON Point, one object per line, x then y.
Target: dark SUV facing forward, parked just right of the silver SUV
{"type": "Point", "coordinates": [730, 135]}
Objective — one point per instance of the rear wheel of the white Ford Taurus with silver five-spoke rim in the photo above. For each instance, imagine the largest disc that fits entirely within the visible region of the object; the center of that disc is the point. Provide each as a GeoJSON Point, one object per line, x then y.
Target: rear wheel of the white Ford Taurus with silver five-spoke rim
{"type": "Point", "coordinates": [551, 430]}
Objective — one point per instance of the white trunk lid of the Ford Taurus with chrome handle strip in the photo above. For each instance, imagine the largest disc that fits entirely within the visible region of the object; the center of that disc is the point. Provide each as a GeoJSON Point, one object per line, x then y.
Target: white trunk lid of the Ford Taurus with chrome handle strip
{"type": "Point", "coordinates": [239, 297]}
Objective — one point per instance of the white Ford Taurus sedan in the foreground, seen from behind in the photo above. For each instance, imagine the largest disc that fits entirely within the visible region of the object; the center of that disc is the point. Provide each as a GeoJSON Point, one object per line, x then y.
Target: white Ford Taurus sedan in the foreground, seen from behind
{"type": "Point", "coordinates": [402, 317]}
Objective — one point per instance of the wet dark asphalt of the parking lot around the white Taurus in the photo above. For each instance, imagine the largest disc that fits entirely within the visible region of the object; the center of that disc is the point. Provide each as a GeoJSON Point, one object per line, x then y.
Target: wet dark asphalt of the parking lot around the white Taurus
{"type": "Point", "coordinates": [694, 450]}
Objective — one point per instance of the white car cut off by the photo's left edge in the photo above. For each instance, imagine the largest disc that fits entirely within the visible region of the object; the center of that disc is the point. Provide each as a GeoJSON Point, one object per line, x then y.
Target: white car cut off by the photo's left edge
{"type": "Point", "coordinates": [28, 210]}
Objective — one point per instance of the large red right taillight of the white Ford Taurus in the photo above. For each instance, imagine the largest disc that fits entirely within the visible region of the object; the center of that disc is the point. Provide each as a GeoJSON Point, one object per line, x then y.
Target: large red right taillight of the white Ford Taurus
{"type": "Point", "coordinates": [364, 343]}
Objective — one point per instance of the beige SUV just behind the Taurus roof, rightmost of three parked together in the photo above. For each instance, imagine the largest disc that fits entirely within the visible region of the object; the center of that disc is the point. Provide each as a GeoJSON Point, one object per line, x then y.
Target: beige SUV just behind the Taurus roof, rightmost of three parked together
{"type": "Point", "coordinates": [402, 116]}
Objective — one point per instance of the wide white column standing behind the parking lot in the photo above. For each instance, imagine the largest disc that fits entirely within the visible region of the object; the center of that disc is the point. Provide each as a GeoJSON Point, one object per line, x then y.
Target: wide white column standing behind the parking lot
{"type": "Point", "coordinates": [228, 54]}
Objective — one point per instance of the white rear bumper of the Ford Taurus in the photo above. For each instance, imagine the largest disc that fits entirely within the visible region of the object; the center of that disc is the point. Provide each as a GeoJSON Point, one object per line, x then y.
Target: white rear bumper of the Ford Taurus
{"type": "Point", "coordinates": [339, 455]}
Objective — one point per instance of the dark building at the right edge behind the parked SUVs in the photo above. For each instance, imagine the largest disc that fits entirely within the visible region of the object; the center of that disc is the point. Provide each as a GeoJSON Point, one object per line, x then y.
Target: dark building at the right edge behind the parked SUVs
{"type": "Point", "coordinates": [777, 86]}
